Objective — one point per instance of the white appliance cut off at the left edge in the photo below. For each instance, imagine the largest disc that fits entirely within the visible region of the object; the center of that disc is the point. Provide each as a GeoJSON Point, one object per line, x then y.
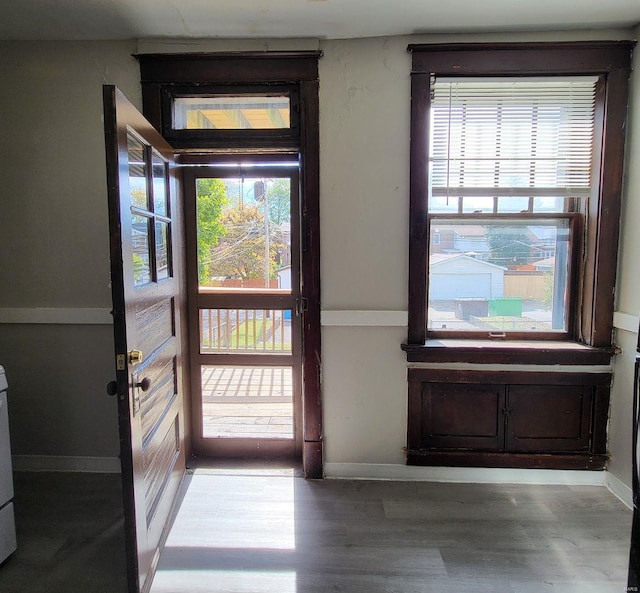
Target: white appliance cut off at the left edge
{"type": "Point", "coordinates": [7, 521]}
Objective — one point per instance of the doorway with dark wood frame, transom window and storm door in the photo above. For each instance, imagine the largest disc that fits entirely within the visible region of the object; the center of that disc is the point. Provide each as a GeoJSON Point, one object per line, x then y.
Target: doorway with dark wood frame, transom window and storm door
{"type": "Point", "coordinates": [249, 118]}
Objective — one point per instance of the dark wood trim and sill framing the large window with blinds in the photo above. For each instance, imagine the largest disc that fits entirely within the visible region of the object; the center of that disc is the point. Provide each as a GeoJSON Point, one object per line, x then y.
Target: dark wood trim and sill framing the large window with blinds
{"type": "Point", "coordinates": [593, 321]}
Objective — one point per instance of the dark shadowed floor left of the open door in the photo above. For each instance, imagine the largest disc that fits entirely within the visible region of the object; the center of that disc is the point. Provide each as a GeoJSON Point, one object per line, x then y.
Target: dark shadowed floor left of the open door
{"type": "Point", "coordinates": [70, 533]}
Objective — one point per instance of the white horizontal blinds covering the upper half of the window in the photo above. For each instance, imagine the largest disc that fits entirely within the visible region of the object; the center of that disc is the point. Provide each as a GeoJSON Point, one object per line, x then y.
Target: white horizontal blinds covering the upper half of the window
{"type": "Point", "coordinates": [512, 137]}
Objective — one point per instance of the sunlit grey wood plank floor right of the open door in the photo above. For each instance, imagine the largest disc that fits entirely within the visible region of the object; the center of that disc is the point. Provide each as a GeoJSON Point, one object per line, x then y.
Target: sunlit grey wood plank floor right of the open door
{"type": "Point", "coordinates": [257, 533]}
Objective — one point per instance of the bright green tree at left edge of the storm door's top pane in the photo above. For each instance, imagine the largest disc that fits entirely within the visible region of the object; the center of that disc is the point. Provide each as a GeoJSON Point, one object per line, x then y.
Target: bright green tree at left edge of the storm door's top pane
{"type": "Point", "coordinates": [211, 198]}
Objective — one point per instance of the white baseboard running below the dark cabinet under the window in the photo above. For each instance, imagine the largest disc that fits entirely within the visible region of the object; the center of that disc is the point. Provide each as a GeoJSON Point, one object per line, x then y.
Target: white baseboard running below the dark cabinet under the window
{"type": "Point", "coordinates": [481, 475]}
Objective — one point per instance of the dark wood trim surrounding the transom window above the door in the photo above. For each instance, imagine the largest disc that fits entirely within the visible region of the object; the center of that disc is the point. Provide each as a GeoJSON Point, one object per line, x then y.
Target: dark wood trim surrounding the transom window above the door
{"type": "Point", "coordinates": [166, 75]}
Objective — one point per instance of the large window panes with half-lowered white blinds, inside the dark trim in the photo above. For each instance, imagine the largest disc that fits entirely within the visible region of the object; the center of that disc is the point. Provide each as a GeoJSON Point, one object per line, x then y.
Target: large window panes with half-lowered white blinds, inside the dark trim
{"type": "Point", "coordinates": [508, 158]}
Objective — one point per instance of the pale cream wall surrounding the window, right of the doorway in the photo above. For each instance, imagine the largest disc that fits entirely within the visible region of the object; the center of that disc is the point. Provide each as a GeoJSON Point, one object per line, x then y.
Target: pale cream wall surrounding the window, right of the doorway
{"type": "Point", "coordinates": [364, 164]}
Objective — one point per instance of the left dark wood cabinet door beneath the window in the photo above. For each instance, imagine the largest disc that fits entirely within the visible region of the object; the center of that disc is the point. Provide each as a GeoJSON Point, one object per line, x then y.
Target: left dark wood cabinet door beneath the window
{"type": "Point", "coordinates": [462, 416]}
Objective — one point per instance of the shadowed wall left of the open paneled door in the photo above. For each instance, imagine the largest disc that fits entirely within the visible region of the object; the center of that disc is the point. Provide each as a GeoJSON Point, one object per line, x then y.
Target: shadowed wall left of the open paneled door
{"type": "Point", "coordinates": [54, 243]}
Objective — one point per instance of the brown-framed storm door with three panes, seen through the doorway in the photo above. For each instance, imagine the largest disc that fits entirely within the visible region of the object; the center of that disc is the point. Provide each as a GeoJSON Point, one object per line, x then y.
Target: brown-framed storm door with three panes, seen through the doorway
{"type": "Point", "coordinates": [244, 287]}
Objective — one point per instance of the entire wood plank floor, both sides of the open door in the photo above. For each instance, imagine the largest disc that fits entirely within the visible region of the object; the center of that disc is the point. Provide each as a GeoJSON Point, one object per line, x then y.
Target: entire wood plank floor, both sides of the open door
{"type": "Point", "coordinates": [270, 531]}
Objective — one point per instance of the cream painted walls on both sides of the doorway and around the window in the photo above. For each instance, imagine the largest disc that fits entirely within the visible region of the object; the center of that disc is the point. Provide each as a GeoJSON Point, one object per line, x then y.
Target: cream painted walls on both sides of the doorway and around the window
{"type": "Point", "coordinates": [53, 225]}
